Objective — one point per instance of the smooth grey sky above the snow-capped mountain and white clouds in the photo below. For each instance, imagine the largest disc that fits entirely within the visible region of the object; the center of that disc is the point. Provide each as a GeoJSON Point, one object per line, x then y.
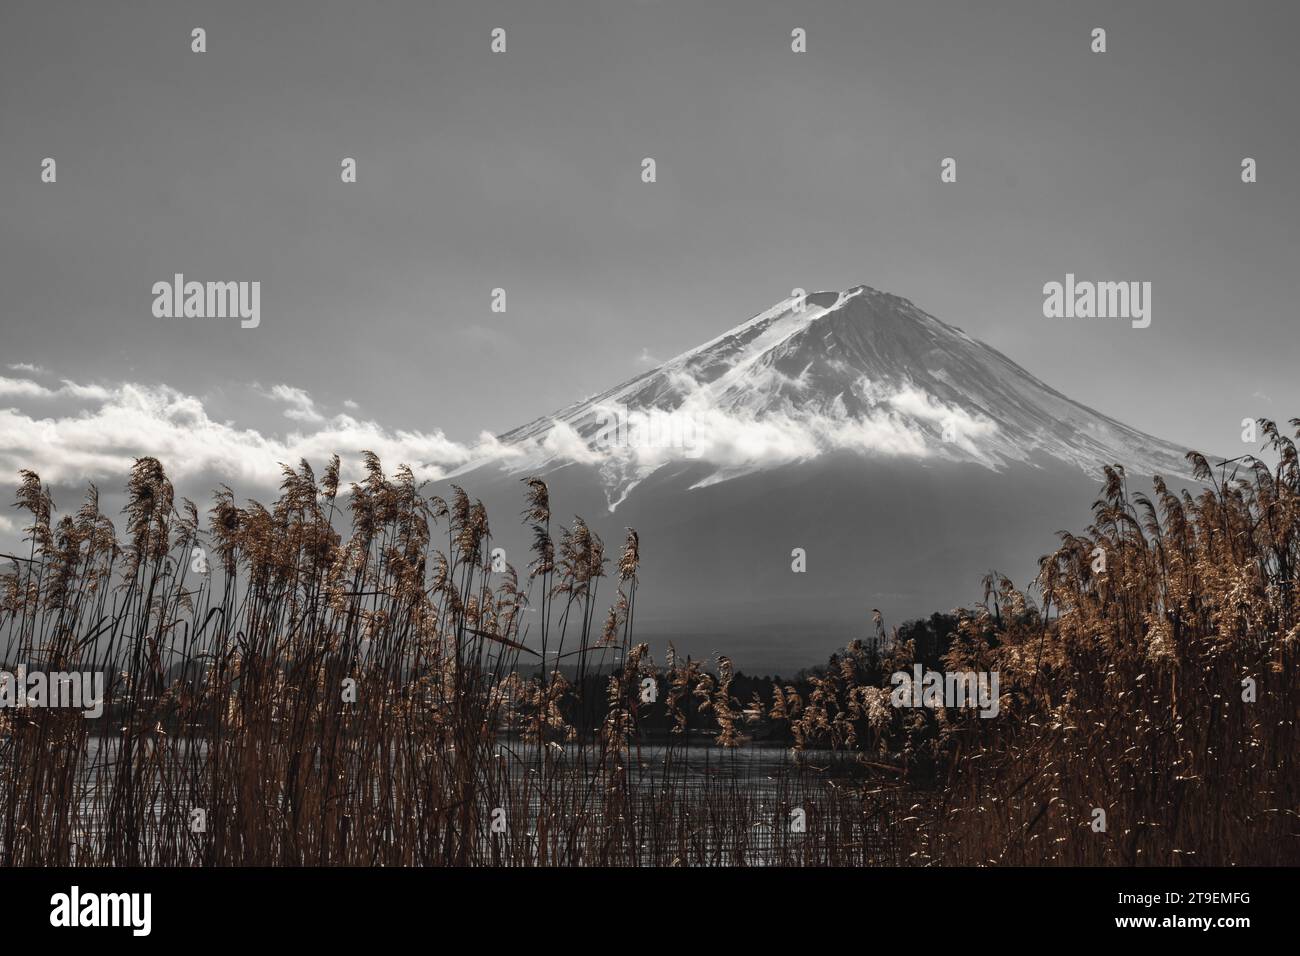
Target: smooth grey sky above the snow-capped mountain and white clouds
{"type": "Point", "coordinates": [775, 170]}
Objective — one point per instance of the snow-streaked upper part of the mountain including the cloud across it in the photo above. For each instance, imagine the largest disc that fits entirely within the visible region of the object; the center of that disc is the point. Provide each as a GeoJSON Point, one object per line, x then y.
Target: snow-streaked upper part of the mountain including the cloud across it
{"type": "Point", "coordinates": [860, 371]}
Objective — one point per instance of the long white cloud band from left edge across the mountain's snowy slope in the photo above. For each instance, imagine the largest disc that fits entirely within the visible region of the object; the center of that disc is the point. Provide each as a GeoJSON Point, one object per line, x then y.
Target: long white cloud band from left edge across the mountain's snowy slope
{"type": "Point", "coordinates": [713, 425]}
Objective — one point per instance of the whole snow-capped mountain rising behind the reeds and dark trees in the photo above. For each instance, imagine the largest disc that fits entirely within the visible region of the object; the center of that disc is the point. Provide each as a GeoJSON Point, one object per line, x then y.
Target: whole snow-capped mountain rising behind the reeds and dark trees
{"type": "Point", "coordinates": [904, 458]}
